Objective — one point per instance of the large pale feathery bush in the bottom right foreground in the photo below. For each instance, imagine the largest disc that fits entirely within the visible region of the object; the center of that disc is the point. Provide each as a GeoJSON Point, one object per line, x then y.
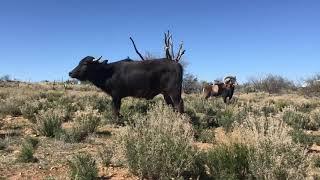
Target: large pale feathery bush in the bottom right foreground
{"type": "Point", "coordinates": [275, 155]}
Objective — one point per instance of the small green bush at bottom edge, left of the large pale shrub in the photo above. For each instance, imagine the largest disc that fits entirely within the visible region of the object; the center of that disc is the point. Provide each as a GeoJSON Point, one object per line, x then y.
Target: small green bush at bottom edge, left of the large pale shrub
{"type": "Point", "coordinates": [83, 167]}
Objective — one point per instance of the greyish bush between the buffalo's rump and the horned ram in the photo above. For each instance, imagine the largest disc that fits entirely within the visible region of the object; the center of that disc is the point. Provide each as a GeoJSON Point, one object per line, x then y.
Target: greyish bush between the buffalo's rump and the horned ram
{"type": "Point", "coordinates": [191, 84]}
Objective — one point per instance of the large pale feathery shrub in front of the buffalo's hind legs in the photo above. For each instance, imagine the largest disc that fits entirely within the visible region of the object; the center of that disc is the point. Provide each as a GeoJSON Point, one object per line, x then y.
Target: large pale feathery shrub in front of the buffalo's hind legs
{"type": "Point", "coordinates": [158, 145]}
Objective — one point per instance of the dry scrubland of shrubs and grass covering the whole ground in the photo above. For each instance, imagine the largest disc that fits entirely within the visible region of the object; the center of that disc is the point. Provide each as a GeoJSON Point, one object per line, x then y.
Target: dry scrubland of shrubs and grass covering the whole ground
{"type": "Point", "coordinates": [59, 132]}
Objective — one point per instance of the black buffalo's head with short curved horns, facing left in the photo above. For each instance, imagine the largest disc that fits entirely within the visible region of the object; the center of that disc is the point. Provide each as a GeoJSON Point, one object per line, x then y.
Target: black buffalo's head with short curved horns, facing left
{"type": "Point", "coordinates": [81, 71]}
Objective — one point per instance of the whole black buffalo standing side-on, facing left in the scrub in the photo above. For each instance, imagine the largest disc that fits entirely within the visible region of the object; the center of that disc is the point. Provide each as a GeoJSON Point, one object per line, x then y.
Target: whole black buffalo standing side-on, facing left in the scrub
{"type": "Point", "coordinates": [142, 79]}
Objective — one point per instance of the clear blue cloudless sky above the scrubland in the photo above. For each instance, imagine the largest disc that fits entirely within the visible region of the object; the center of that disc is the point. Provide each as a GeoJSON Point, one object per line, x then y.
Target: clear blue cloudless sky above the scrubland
{"type": "Point", "coordinates": [44, 40]}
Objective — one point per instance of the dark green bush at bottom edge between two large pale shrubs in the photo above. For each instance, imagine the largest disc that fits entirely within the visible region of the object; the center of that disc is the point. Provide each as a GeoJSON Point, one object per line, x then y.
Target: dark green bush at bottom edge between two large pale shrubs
{"type": "Point", "coordinates": [229, 162]}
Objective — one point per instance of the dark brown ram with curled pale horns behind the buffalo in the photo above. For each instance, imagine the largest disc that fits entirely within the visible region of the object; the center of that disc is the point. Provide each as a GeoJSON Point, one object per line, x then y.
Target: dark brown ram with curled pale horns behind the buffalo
{"type": "Point", "coordinates": [224, 89]}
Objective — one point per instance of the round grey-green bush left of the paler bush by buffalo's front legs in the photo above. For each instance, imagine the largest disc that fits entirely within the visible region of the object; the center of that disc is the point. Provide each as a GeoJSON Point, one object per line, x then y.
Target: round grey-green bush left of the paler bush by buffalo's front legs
{"type": "Point", "coordinates": [49, 122]}
